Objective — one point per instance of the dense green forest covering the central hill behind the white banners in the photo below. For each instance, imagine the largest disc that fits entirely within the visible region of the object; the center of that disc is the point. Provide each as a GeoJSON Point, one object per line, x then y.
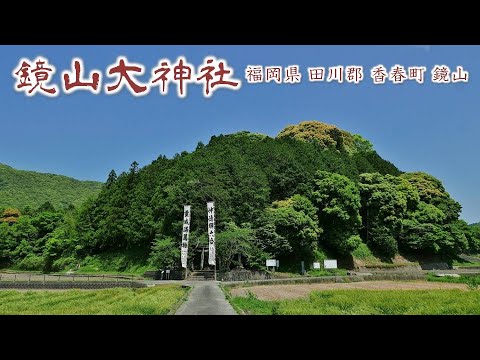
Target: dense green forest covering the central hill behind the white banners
{"type": "Point", "coordinates": [312, 190]}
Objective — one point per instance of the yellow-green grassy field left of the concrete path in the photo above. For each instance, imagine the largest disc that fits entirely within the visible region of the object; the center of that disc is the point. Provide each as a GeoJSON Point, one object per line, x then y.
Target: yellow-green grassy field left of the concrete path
{"type": "Point", "coordinates": [157, 300]}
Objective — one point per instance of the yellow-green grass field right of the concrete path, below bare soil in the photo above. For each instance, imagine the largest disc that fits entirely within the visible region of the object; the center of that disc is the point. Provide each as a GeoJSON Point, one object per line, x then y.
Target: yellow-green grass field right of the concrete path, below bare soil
{"type": "Point", "coordinates": [366, 302]}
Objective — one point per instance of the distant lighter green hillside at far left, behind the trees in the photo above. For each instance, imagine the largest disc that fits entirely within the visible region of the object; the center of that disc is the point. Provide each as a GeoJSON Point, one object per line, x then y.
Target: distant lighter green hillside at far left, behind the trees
{"type": "Point", "coordinates": [20, 188]}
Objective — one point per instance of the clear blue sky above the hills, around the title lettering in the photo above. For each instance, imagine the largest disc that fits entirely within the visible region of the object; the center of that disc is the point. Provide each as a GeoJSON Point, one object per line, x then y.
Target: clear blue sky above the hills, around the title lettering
{"type": "Point", "coordinates": [430, 127]}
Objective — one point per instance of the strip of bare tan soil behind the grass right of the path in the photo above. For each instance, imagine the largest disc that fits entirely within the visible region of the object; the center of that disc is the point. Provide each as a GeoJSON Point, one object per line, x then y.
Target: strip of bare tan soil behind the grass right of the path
{"type": "Point", "coordinates": [279, 292]}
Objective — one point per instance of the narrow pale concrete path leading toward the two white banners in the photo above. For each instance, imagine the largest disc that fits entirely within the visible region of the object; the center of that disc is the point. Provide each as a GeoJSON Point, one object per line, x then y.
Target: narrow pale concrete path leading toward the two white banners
{"type": "Point", "coordinates": [206, 298]}
